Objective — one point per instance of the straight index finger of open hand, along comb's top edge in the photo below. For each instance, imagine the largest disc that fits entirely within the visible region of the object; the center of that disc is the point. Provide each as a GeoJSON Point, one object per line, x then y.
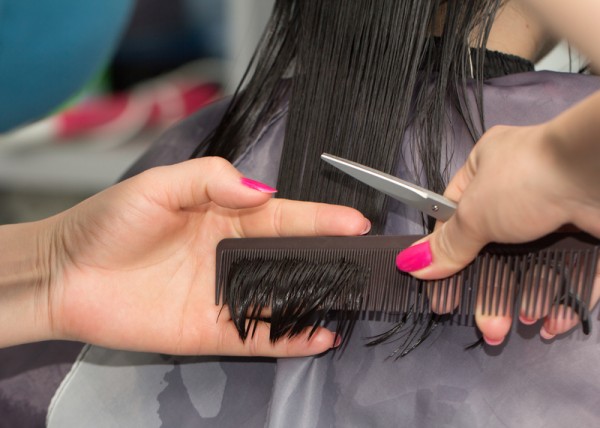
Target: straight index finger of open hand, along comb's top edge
{"type": "Point", "coordinates": [281, 217]}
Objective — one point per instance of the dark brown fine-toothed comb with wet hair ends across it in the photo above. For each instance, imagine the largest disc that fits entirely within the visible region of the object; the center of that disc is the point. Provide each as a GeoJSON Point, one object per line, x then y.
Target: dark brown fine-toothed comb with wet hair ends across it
{"type": "Point", "coordinates": [304, 278]}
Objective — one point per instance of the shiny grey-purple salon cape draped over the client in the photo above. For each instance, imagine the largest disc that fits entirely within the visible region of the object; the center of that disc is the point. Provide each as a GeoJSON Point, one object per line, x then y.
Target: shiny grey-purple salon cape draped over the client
{"type": "Point", "coordinates": [525, 382]}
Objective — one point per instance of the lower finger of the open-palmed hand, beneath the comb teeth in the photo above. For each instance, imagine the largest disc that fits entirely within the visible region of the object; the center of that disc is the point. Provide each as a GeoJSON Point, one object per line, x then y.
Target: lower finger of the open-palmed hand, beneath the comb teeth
{"type": "Point", "coordinates": [259, 343]}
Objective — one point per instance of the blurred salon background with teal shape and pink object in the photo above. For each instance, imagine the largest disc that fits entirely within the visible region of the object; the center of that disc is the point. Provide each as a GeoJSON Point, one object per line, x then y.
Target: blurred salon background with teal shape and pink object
{"type": "Point", "coordinates": [164, 59]}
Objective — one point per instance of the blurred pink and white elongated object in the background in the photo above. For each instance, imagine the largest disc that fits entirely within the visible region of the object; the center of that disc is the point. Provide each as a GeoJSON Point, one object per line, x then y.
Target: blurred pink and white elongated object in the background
{"type": "Point", "coordinates": [116, 118]}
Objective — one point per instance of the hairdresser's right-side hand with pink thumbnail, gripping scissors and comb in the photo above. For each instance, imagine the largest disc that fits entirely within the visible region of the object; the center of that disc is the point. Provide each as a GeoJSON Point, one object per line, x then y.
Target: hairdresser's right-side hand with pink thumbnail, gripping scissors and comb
{"type": "Point", "coordinates": [516, 186]}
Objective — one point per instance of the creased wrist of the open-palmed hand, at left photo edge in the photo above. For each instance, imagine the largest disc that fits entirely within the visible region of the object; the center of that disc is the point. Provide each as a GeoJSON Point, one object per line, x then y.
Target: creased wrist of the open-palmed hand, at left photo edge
{"type": "Point", "coordinates": [26, 270]}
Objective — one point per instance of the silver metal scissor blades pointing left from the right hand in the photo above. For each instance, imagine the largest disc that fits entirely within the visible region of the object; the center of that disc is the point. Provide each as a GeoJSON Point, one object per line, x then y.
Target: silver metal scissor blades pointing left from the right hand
{"type": "Point", "coordinates": [431, 203]}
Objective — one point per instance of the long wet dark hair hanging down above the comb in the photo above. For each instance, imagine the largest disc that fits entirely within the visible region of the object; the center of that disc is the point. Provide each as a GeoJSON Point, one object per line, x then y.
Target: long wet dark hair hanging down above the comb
{"type": "Point", "coordinates": [359, 75]}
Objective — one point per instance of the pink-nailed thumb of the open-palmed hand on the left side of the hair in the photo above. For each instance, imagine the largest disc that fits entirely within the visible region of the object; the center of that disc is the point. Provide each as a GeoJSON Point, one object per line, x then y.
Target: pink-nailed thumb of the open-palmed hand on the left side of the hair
{"type": "Point", "coordinates": [196, 182]}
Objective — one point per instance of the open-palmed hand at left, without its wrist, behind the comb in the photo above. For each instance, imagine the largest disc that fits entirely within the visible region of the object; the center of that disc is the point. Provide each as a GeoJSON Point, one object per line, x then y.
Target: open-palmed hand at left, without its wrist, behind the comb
{"type": "Point", "coordinates": [134, 266]}
